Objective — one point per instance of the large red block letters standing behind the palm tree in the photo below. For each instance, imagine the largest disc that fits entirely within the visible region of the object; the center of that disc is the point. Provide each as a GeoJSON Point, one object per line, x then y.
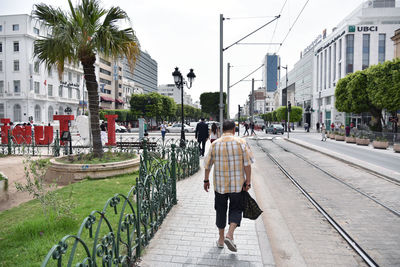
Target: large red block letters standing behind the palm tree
{"type": "Point", "coordinates": [44, 134]}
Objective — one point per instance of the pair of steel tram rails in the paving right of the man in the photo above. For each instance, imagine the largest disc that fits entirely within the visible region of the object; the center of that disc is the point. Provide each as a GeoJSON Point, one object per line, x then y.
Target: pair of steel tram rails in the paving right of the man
{"type": "Point", "coordinates": [346, 236]}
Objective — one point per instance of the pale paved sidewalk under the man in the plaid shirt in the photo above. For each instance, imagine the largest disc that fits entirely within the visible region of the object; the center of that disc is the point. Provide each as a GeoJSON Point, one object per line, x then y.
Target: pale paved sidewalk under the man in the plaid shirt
{"type": "Point", "coordinates": [188, 235]}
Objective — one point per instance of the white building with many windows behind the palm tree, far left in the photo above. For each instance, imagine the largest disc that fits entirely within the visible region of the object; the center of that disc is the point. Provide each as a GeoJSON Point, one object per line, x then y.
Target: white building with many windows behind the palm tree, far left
{"type": "Point", "coordinates": [27, 89]}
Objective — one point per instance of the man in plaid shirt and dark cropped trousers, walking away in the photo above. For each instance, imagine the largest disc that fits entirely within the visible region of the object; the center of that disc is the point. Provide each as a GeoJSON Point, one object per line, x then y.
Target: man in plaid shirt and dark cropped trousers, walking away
{"type": "Point", "coordinates": [232, 159]}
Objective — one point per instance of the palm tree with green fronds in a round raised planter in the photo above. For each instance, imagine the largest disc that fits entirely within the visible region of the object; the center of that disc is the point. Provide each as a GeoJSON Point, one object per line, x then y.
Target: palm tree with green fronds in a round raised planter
{"type": "Point", "coordinates": [77, 36]}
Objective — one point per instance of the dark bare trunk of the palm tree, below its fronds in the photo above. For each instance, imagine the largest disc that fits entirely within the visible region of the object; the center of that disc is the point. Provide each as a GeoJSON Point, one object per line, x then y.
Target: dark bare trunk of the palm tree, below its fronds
{"type": "Point", "coordinates": [91, 85]}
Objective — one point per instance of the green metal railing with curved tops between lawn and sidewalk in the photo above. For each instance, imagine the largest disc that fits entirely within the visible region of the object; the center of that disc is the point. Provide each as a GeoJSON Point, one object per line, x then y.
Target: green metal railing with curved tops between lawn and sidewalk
{"type": "Point", "coordinates": [119, 232]}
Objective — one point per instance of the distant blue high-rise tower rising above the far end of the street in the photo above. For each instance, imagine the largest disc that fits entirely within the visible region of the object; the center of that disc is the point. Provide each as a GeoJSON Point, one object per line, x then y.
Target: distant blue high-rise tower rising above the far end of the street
{"type": "Point", "coordinates": [271, 72]}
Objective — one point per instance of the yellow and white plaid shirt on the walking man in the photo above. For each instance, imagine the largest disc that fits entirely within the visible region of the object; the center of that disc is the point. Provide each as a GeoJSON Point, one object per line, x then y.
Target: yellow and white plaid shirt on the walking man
{"type": "Point", "coordinates": [229, 154]}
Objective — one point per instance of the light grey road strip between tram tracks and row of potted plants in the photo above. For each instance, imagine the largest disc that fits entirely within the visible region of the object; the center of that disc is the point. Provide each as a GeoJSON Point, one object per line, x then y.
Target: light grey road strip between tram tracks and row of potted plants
{"type": "Point", "coordinates": [386, 159]}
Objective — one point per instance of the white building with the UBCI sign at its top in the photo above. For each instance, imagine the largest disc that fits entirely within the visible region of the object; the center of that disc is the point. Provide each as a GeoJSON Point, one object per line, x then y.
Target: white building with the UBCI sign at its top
{"type": "Point", "coordinates": [360, 40]}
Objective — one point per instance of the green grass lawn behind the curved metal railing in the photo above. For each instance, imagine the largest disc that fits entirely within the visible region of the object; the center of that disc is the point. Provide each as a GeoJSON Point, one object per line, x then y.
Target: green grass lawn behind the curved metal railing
{"type": "Point", "coordinates": [26, 235]}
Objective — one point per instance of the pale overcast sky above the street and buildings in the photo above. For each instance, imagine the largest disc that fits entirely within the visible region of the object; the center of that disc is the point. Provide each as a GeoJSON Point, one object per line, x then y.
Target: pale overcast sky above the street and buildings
{"type": "Point", "coordinates": [185, 34]}
